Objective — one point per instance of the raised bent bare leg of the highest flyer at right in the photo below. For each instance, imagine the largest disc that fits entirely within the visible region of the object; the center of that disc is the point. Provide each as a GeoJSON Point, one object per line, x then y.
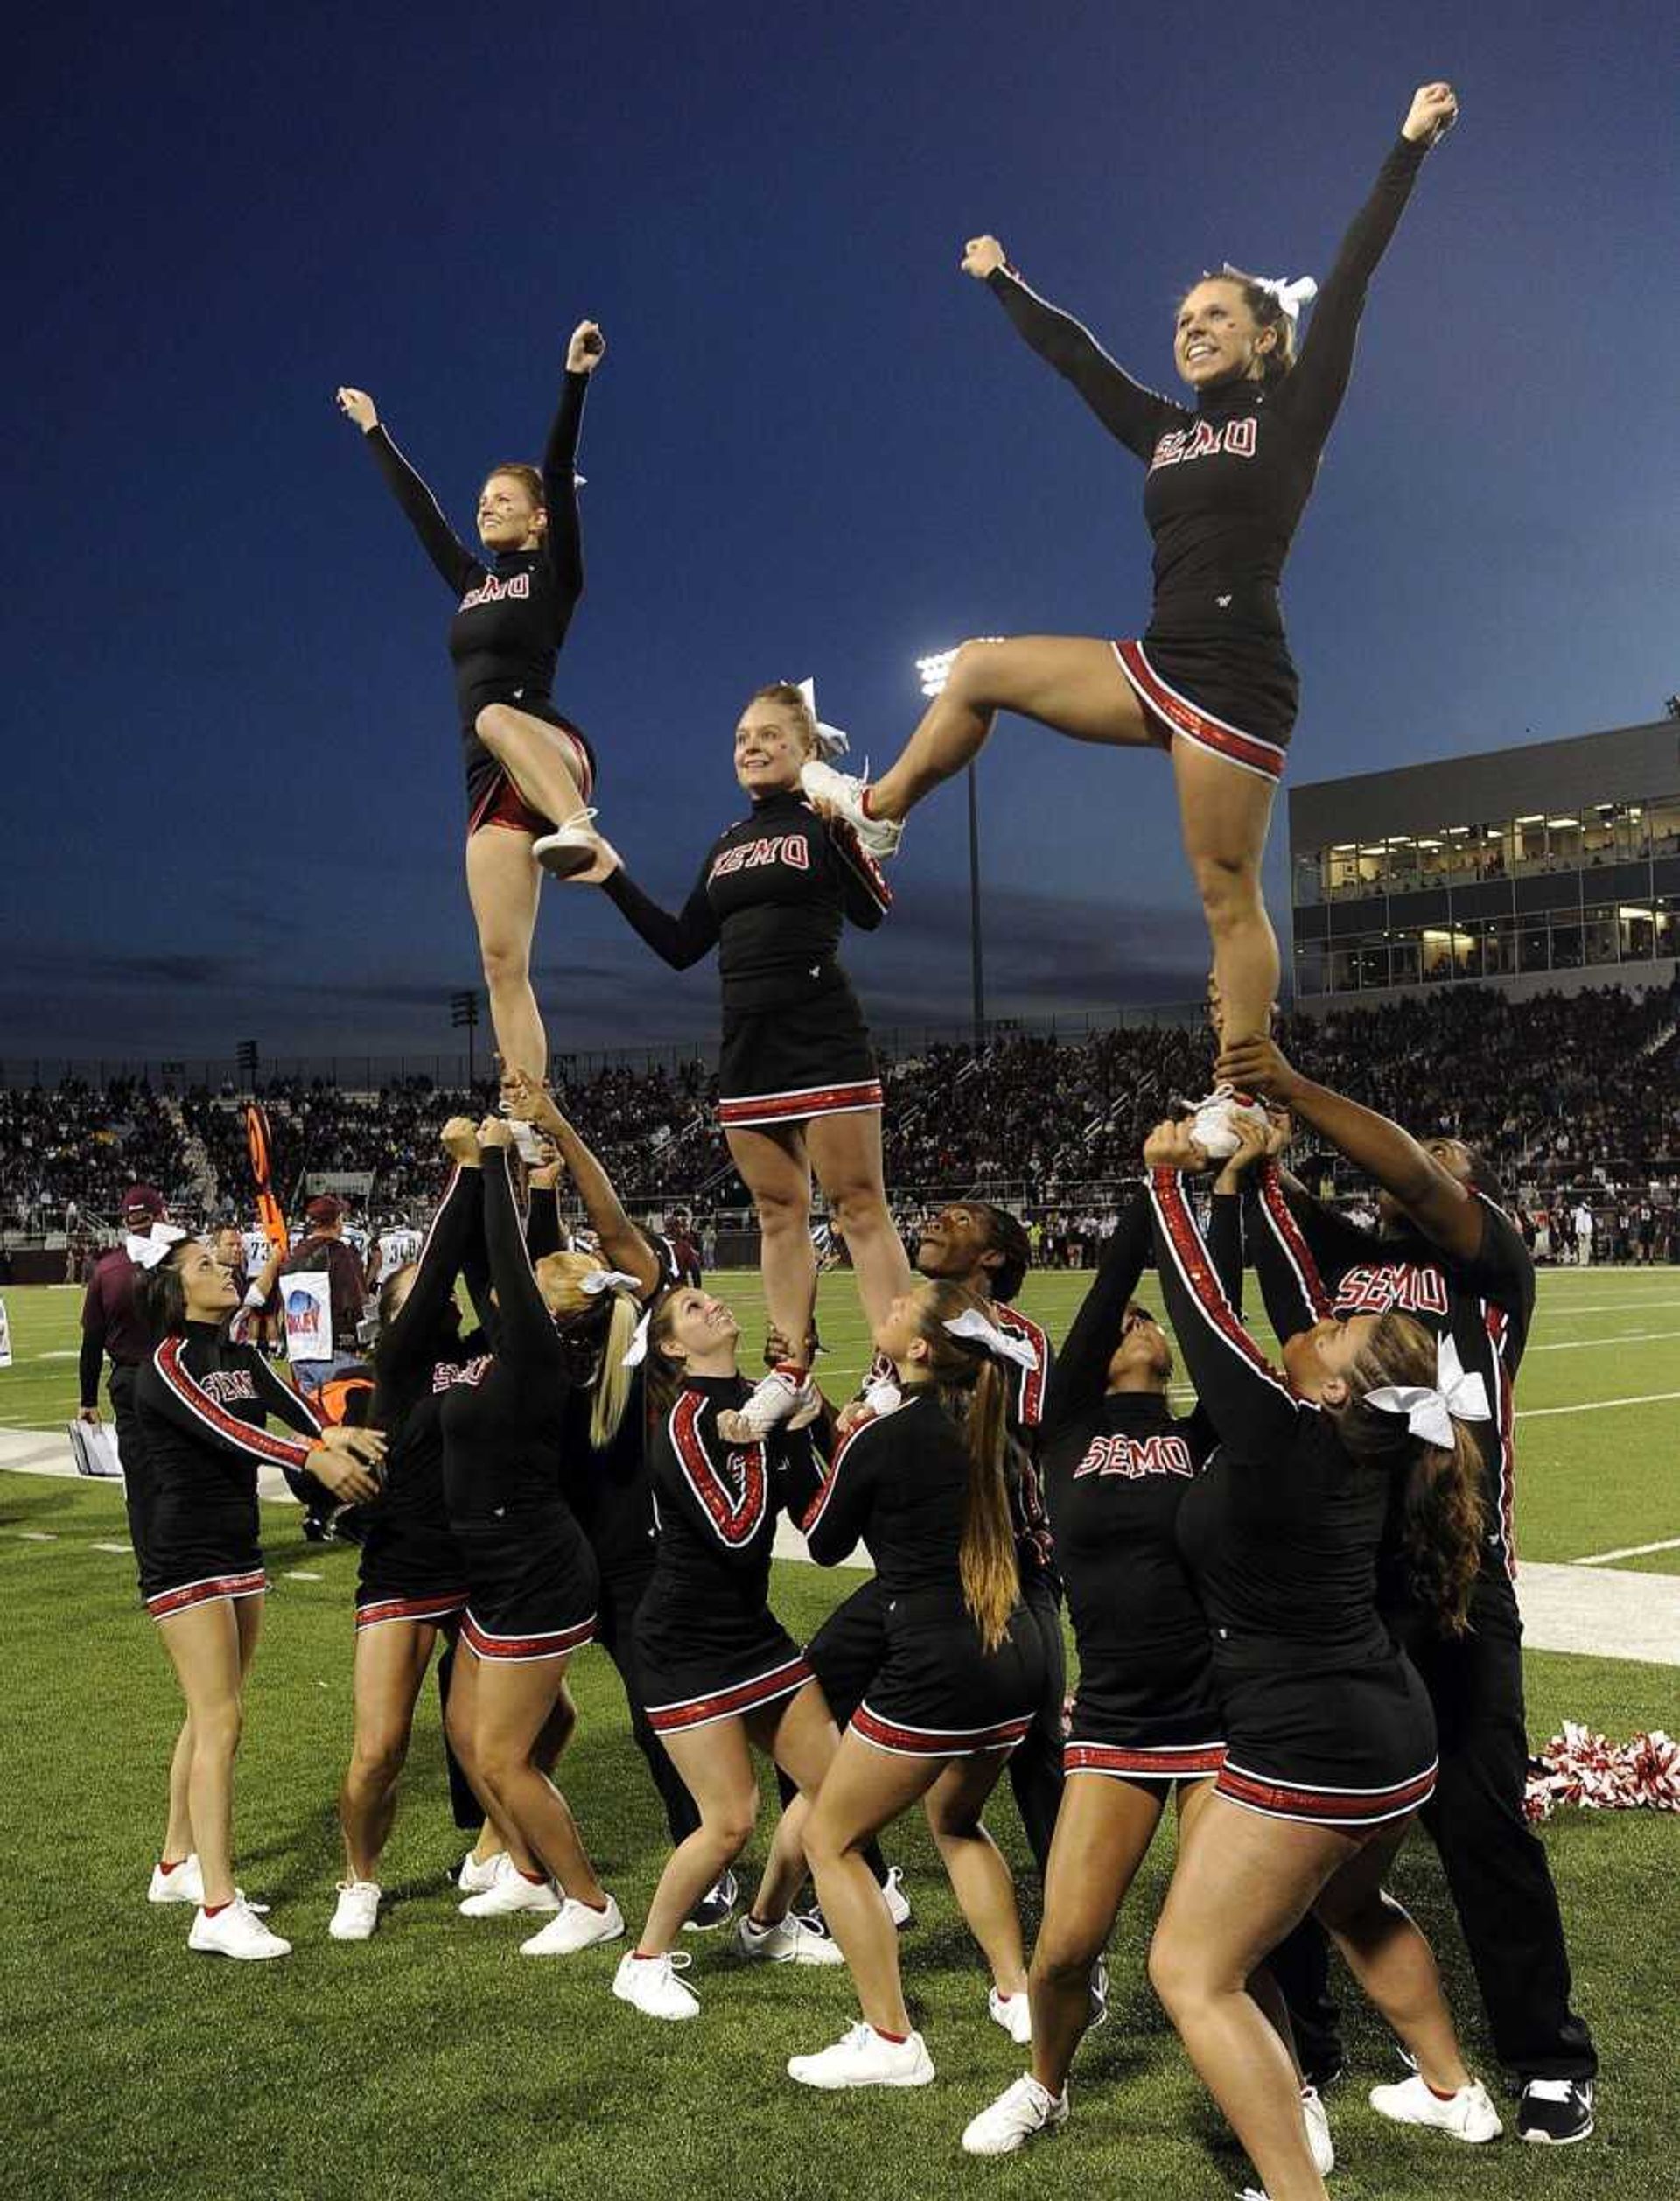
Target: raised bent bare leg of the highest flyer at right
{"type": "Point", "coordinates": [1071, 686]}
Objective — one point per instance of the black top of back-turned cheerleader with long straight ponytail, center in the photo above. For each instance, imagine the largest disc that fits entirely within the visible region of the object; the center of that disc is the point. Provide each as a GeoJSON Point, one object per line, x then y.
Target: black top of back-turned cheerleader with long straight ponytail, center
{"type": "Point", "coordinates": [899, 1487]}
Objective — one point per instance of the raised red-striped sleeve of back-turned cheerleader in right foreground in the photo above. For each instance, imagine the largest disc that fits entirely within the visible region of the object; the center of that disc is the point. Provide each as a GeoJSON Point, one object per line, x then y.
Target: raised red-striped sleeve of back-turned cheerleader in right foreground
{"type": "Point", "coordinates": [1245, 1397]}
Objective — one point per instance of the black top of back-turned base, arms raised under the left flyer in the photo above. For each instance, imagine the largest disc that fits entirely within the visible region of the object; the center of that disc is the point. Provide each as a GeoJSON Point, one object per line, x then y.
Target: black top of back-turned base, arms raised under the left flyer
{"type": "Point", "coordinates": [503, 1416]}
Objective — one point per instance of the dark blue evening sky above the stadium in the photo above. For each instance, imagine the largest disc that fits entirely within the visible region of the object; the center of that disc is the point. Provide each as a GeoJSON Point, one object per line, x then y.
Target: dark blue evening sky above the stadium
{"type": "Point", "coordinates": [234, 791]}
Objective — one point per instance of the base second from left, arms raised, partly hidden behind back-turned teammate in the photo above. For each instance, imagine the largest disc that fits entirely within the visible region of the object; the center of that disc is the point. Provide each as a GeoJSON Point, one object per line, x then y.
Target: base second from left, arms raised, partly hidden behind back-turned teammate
{"type": "Point", "coordinates": [413, 1577]}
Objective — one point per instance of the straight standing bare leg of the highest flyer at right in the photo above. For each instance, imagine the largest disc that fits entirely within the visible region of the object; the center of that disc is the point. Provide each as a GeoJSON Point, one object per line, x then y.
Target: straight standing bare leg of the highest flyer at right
{"type": "Point", "coordinates": [1225, 813]}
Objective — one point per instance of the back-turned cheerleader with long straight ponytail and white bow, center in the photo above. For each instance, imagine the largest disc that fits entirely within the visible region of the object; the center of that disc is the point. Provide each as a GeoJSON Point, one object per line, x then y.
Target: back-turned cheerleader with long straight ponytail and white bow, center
{"type": "Point", "coordinates": [926, 1489]}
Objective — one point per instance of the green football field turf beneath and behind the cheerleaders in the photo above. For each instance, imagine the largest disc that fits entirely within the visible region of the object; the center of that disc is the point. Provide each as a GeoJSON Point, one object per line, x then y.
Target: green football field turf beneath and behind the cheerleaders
{"type": "Point", "coordinates": [437, 2063]}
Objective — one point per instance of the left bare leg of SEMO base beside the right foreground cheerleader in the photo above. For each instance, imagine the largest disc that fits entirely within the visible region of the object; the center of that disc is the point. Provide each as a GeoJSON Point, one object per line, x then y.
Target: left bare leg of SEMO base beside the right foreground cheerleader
{"type": "Point", "coordinates": [1104, 1832]}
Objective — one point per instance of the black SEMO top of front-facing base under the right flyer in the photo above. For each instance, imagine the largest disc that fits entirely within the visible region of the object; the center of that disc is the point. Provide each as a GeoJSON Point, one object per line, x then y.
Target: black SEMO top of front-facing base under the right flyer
{"type": "Point", "coordinates": [1117, 1467]}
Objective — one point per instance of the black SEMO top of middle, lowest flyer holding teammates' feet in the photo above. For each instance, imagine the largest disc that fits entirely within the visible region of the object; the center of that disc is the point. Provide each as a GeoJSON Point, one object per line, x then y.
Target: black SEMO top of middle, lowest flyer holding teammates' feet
{"type": "Point", "coordinates": [772, 897]}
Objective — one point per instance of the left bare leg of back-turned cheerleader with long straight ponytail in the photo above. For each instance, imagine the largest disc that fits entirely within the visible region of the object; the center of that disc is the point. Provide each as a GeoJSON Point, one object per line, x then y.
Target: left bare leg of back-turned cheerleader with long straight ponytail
{"type": "Point", "coordinates": [866, 1791]}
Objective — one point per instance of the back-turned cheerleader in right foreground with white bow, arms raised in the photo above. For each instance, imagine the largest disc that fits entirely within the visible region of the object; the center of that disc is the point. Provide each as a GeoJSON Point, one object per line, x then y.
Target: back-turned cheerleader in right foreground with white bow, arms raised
{"type": "Point", "coordinates": [1331, 1744]}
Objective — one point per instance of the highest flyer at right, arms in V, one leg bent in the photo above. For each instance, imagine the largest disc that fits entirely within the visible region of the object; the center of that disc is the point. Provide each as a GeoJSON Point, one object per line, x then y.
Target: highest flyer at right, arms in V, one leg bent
{"type": "Point", "coordinates": [1212, 681]}
